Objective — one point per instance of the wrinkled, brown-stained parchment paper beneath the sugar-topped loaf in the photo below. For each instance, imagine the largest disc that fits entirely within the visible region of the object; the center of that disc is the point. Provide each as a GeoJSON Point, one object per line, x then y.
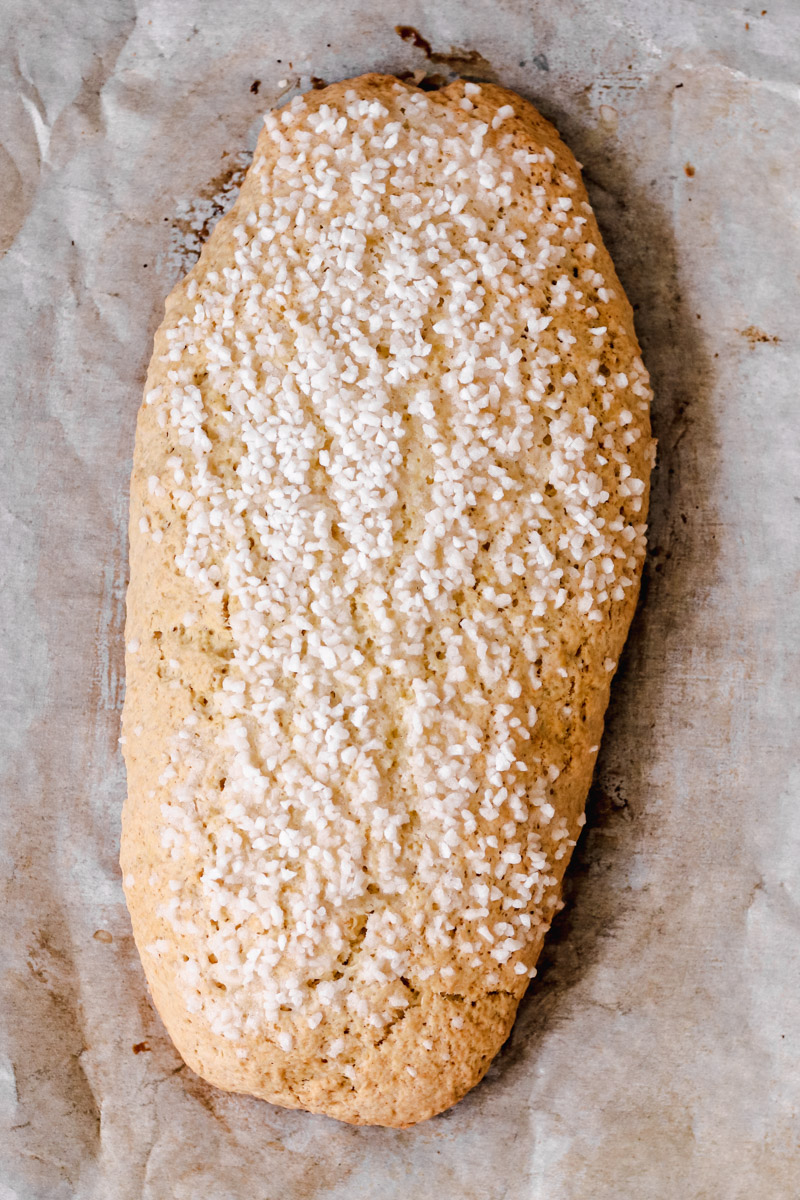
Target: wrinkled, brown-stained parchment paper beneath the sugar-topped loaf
{"type": "Point", "coordinates": [658, 1055]}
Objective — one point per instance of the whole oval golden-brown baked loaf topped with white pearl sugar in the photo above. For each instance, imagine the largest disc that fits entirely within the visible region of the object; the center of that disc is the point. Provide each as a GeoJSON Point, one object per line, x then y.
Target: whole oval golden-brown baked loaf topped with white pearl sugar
{"type": "Point", "coordinates": [387, 535]}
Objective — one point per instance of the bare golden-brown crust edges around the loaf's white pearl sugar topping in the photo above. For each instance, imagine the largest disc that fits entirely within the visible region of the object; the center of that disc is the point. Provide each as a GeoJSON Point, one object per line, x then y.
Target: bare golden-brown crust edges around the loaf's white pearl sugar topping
{"type": "Point", "coordinates": [443, 1041]}
